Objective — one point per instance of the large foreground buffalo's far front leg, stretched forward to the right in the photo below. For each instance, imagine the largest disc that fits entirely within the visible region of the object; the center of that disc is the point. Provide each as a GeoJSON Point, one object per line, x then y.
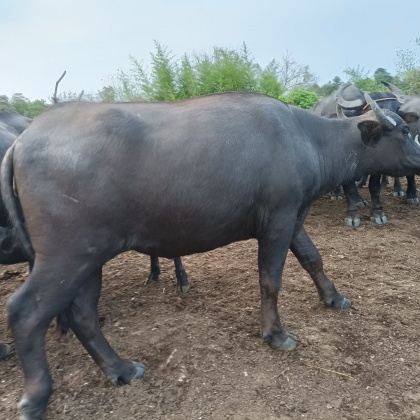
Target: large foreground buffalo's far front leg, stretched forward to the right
{"type": "Point", "coordinates": [307, 254]}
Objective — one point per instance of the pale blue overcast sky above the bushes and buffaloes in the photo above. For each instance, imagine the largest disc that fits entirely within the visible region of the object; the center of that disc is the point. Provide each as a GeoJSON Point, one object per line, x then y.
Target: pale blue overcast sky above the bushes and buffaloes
{"type": "Point", "coordinates": [92, 39]}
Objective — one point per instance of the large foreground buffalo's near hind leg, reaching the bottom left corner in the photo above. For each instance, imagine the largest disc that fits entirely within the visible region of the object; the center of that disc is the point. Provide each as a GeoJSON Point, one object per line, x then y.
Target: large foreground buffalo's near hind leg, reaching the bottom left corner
{"type": "Point", "coordinates": [45, 294]}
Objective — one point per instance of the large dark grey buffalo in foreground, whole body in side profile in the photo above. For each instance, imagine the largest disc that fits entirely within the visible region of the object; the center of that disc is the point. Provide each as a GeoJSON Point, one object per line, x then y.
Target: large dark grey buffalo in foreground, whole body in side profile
{"type": "Point", "coordinates": [172, 179]}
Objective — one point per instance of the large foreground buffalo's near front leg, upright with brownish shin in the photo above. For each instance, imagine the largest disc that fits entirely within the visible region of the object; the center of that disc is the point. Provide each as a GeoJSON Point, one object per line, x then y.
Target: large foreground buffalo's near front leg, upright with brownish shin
{"type": "Point", "coordinates": [271, 259]}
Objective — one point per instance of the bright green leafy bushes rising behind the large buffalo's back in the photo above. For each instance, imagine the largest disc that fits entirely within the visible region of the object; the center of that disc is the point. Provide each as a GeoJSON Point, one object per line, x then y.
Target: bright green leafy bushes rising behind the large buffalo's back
{"type": "Point", "coordinates": [221, 70]}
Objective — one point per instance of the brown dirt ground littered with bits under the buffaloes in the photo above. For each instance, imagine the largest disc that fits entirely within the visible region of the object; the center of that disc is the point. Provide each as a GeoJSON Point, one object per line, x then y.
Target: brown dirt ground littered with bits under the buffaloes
{"type": "Point", "coordinates": [203, 353]}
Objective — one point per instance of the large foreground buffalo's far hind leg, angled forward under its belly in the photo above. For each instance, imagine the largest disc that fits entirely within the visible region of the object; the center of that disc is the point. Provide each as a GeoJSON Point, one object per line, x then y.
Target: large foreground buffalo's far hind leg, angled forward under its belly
{"type": "Point", "coordinates": [84, 321]}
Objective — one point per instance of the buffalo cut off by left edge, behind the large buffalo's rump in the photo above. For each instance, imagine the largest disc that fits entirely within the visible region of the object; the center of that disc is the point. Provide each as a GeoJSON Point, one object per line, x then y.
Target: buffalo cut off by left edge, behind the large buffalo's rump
{"type": "Point", "coordinates": [11, 251]}
